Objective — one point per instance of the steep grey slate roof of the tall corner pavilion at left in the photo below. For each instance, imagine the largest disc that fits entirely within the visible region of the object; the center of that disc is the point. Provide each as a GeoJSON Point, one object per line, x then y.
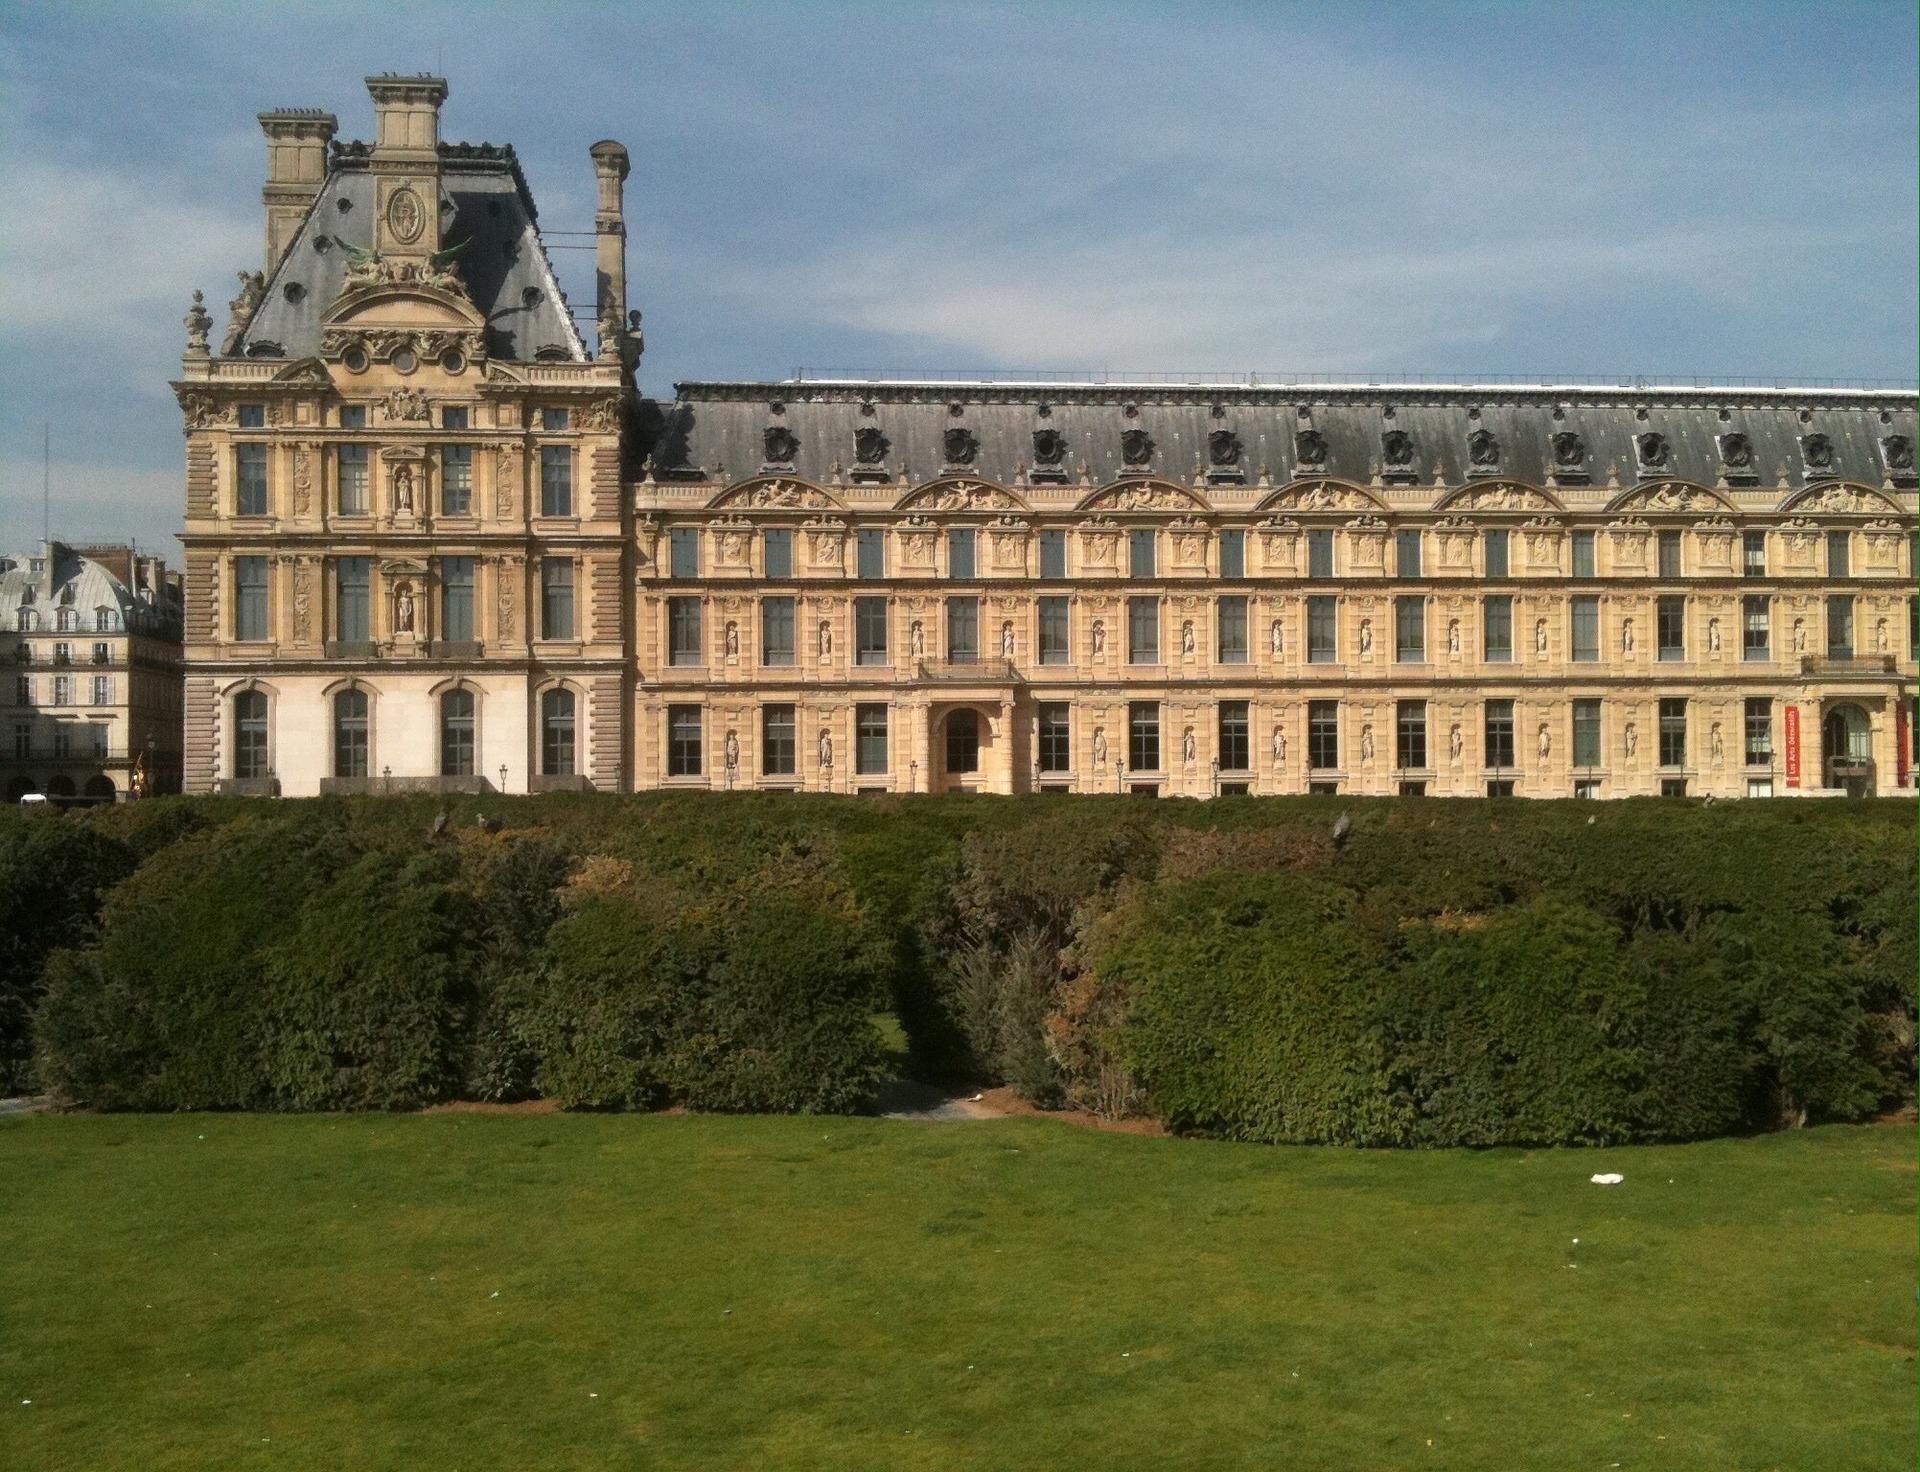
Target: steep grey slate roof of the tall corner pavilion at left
{"type": "Point", "coordinates": [502, 260]}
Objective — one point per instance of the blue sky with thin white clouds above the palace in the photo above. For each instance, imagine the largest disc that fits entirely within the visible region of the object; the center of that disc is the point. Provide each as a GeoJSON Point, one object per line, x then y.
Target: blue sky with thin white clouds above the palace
{"type": "Point", "coordinates": [1437, 189]}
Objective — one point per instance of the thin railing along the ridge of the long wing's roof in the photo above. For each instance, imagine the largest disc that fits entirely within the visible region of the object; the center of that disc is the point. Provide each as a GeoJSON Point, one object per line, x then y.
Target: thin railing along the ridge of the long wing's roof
{"type": "Point", "coordinates": [1107, 377]}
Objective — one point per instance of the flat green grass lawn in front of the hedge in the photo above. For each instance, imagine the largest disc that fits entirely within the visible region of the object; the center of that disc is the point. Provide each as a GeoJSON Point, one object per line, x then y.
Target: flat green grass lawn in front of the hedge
{"type": "Point", "coordinates": [694, 1293]}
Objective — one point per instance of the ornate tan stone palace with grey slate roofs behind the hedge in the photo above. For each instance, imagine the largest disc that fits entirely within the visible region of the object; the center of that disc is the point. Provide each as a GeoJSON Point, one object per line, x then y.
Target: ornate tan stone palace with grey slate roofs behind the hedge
{"type": "Point", "coordinates": [435, 542]}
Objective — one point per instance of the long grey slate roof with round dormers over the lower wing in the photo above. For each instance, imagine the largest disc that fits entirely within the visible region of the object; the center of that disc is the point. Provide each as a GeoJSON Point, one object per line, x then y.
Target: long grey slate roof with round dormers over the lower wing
{"type": "Point", "coordinates": [721, 427]}
